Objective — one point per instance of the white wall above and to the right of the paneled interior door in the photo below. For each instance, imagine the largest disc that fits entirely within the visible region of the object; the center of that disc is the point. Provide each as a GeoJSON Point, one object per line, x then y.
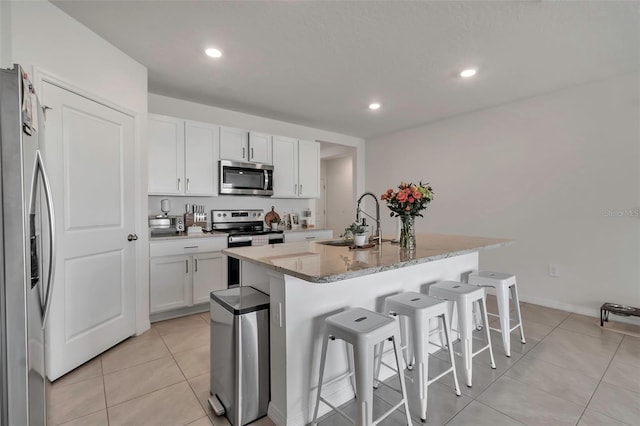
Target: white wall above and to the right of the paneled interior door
{"type": "Point", "coordinates": [44, 37]}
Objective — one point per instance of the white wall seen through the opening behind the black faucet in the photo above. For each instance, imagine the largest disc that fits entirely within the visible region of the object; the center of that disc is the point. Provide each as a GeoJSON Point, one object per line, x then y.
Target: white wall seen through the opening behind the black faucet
{"type": "Point", "coordinates": [341, 207]}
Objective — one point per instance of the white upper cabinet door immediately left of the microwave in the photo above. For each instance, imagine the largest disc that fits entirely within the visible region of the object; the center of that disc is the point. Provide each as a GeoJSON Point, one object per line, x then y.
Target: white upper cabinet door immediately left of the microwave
{"type": "Point", "coordinates": [201, 158]}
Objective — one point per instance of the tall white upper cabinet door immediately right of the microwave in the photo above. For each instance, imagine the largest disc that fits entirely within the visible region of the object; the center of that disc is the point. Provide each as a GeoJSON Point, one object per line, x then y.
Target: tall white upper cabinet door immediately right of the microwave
{"type": "Point", "coordinates": [285, 167]}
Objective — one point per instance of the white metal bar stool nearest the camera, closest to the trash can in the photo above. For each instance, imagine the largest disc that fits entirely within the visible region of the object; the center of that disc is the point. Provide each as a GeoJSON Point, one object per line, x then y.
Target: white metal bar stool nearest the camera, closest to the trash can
{"type": "Point", "coordinates": [363, 329]}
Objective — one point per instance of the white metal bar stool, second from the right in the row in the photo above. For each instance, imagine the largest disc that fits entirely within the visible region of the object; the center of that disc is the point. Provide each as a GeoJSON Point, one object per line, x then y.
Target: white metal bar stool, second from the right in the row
{"type": "Point", "coordinates": [464, 296]}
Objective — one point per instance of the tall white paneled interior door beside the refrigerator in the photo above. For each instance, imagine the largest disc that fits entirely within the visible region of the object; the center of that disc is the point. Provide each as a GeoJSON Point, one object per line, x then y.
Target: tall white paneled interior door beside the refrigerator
{"type": "Point", "coordinates": [89, 151]}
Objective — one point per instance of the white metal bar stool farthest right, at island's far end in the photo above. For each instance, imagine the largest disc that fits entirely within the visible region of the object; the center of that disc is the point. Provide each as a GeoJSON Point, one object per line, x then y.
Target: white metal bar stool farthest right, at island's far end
{"type": "Point", "coordinates": [504, 284]}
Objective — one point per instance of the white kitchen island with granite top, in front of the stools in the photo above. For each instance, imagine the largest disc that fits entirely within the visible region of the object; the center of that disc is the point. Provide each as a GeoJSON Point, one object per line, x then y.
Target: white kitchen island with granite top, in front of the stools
{"type": "Point", "coordinates": [309, 281]}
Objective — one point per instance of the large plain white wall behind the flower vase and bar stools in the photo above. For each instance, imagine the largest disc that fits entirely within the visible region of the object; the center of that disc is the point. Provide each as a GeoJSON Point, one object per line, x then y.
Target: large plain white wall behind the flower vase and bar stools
{"type": "Point", "coordinates": [557, 173]}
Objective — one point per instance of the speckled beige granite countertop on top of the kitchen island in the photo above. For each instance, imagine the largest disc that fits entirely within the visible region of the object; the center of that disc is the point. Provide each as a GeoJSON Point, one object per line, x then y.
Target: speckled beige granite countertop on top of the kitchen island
{"type": "Point", "coordinates": [318, 263]}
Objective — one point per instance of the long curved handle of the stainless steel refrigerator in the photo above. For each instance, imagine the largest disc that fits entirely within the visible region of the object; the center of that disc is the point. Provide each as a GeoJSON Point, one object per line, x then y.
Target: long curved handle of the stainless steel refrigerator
{"type": "Point", "coordinates": [39, 169]}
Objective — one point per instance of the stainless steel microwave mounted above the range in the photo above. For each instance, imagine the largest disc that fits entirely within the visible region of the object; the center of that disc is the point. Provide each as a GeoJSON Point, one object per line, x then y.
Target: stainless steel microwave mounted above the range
{"type": "Point", "coordinates": [238, 178]}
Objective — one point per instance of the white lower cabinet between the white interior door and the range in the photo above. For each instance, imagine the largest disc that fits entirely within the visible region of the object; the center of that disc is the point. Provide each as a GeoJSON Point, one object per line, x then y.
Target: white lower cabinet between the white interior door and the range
{"type": "Point", "coordinates": [184, 272]}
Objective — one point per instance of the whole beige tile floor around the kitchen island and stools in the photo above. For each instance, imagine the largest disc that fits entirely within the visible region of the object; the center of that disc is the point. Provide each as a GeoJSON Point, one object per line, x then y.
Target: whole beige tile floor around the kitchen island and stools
{"type": "Point", "coordinates": [570, 372]}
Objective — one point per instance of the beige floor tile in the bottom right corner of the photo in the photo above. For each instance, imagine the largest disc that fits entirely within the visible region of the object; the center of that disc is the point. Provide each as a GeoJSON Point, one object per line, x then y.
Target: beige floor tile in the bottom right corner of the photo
{"type": "Point", "coordinates": [616, 402]}
